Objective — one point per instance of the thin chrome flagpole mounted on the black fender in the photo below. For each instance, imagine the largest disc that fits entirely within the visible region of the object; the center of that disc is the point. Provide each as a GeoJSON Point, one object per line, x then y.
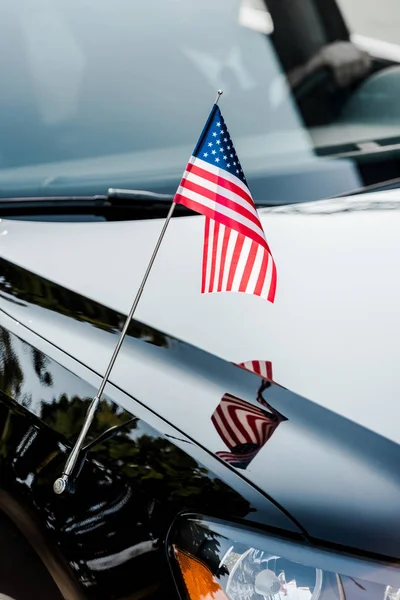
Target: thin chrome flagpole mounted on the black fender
{"type": "Point", "coordinates": [61, 484]}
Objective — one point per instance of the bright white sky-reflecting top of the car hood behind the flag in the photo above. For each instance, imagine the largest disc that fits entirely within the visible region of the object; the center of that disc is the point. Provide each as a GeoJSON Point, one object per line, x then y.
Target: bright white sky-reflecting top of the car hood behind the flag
{"type": "Point", "coordinates": [332, 282]}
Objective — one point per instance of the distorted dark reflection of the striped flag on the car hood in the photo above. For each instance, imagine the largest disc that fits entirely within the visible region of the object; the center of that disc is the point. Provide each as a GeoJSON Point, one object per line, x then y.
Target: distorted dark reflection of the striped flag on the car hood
{"type": "Point", "coordinates": [244, 428]}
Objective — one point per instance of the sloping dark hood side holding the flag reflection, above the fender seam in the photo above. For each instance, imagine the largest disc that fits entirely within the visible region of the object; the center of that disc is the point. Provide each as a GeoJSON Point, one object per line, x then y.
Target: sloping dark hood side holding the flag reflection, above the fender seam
{"type": "Point", "coordinates": [340, 481]}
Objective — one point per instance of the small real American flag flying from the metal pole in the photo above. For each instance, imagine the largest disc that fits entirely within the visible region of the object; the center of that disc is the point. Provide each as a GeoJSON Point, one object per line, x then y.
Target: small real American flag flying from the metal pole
{"type": "Point", "coordinates": [236, 256]}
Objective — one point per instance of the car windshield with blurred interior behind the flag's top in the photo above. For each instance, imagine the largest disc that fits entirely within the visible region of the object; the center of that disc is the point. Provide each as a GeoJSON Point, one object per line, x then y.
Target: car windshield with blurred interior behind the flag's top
{"type": "Point", "coordinates": [98, 94]}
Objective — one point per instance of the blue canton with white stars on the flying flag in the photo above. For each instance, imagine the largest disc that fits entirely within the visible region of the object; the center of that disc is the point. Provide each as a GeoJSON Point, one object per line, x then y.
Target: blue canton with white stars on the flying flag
{"type": "Point", "coordinates": [215, 146]}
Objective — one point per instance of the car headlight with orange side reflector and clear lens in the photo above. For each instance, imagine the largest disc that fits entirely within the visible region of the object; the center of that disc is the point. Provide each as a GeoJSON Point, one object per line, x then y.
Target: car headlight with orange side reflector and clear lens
{"type": "Point", "coordinates": [217, 561]}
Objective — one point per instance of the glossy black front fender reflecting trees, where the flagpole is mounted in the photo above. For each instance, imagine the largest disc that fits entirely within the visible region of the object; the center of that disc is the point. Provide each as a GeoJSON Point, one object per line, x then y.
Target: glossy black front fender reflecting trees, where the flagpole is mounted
{"type": "Point", "coordinates": [108, 533]}
